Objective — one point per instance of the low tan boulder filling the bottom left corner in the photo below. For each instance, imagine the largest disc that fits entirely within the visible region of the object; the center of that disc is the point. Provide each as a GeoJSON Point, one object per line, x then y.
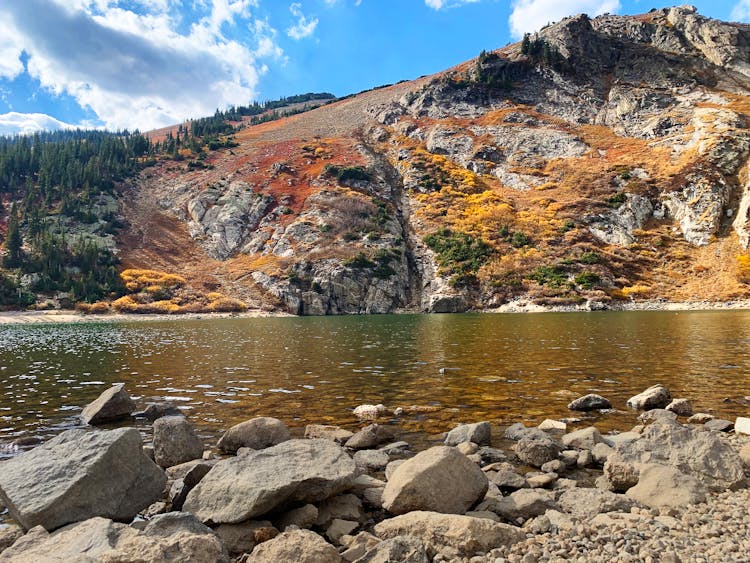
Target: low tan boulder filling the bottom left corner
{"type": "Point", "coordinates": [165, 539]}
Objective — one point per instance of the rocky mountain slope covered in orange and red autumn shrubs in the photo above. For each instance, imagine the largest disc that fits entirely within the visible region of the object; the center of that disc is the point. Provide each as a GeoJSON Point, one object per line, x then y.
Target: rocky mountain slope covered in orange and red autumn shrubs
{"type": "Point", "coordinates": [598, 161]}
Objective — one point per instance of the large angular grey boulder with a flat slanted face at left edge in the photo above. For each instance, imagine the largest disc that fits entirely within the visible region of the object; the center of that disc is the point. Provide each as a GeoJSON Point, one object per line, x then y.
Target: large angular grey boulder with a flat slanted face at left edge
{"type": "Point", "coordinates": [78, 475]}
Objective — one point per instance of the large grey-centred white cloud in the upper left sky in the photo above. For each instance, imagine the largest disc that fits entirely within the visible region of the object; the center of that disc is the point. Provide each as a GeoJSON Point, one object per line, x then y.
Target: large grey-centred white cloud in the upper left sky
{"type": "Point", "coordinates": [136, 70]}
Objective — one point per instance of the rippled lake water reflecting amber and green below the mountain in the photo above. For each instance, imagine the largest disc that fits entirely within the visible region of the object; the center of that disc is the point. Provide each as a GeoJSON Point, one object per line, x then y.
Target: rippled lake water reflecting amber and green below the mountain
{"type": "Point", "coordinates": [454, 368]}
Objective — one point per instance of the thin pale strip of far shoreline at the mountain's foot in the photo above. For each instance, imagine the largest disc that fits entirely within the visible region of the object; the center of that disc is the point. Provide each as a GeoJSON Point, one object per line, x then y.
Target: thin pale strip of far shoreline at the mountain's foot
{"type": "Point", "coordinates": [513, 307]}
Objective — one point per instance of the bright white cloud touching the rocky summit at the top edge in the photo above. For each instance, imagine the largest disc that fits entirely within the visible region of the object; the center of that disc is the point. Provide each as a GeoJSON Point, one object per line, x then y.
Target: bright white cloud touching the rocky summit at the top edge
{"type": "Point", "coordinates": [531, 15]}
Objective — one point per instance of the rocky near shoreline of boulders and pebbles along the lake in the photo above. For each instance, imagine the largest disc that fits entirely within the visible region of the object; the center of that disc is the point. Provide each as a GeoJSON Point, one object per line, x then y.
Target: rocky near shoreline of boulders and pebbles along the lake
{"type": "Point", "coordinates": [665, 490]}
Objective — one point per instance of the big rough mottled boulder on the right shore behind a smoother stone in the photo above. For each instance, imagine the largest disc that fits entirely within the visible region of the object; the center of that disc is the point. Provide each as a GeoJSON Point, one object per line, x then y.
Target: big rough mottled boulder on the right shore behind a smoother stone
{"type": "Point", "coordinates": [693, 452]}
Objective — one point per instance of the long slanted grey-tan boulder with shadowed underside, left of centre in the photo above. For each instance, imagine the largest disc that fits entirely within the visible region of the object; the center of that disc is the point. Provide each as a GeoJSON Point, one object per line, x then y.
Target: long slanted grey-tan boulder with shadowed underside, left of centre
{"type": "Point", "coordinates": [295, 471]}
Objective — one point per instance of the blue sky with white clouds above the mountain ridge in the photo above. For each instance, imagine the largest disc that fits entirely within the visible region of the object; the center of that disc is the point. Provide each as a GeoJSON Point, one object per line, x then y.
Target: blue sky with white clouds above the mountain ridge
{"type": "Point", "coordinates": [145, 64]}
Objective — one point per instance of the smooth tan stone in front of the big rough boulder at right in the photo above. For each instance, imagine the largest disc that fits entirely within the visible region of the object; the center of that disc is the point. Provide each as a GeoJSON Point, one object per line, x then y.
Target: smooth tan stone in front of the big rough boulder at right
{"type": "Point", "coordinates": [660, 485]}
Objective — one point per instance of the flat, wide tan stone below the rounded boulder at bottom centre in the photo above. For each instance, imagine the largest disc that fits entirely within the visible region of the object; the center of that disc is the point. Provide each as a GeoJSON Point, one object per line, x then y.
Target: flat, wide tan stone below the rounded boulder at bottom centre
{"type": "Point", "coordinates": [436, 531]}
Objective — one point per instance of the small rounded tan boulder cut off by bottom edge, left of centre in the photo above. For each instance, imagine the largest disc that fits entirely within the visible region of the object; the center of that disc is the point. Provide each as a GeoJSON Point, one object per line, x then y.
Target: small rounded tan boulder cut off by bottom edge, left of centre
{"type": "Point", "coordinates": [298, 546]}
